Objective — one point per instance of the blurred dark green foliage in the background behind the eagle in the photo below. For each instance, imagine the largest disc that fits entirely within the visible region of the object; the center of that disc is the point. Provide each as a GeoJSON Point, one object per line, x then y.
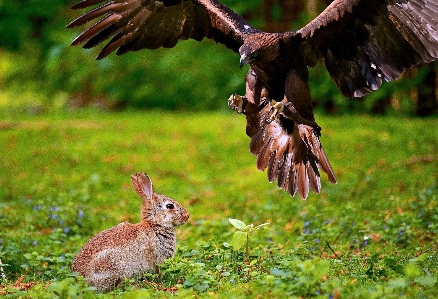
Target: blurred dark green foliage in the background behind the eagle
{"type": "Point", "coordinates": [38, 68]}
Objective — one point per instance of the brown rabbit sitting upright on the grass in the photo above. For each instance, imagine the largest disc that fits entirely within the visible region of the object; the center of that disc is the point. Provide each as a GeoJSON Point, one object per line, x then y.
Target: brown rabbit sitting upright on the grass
{"type": "Point", "coordinates": [129, 250]}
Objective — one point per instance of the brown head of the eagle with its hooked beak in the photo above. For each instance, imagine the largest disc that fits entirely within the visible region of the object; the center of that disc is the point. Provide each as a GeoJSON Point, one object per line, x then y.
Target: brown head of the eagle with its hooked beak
{"type": "Point", "coordinates": [259, 47]}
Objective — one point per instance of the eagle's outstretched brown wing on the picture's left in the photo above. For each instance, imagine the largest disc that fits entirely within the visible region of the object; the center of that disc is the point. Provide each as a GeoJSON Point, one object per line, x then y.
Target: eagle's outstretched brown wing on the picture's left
{"type": "Point", "coordinates": [137, 24]}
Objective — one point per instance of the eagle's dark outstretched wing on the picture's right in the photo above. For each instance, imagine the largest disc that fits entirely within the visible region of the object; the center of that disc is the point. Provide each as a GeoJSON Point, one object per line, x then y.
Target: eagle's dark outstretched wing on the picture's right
{"type": "Point", "coordinates": [363, 42]}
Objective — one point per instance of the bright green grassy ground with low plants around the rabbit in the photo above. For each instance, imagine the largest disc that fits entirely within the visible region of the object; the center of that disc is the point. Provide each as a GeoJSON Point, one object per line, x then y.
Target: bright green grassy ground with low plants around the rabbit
{"type": "Point", "coordinates": [373, 235]}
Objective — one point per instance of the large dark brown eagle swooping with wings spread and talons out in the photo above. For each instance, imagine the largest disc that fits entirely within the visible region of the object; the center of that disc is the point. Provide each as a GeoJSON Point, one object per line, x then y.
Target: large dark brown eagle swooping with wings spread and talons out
{"type": "Point", "coordinates": [360, 42]}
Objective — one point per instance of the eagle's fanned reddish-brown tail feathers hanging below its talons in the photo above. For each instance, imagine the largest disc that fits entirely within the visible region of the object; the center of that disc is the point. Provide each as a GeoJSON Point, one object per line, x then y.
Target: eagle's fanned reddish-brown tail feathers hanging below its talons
{"type": "Point", "coordinates": [291, 152]}
